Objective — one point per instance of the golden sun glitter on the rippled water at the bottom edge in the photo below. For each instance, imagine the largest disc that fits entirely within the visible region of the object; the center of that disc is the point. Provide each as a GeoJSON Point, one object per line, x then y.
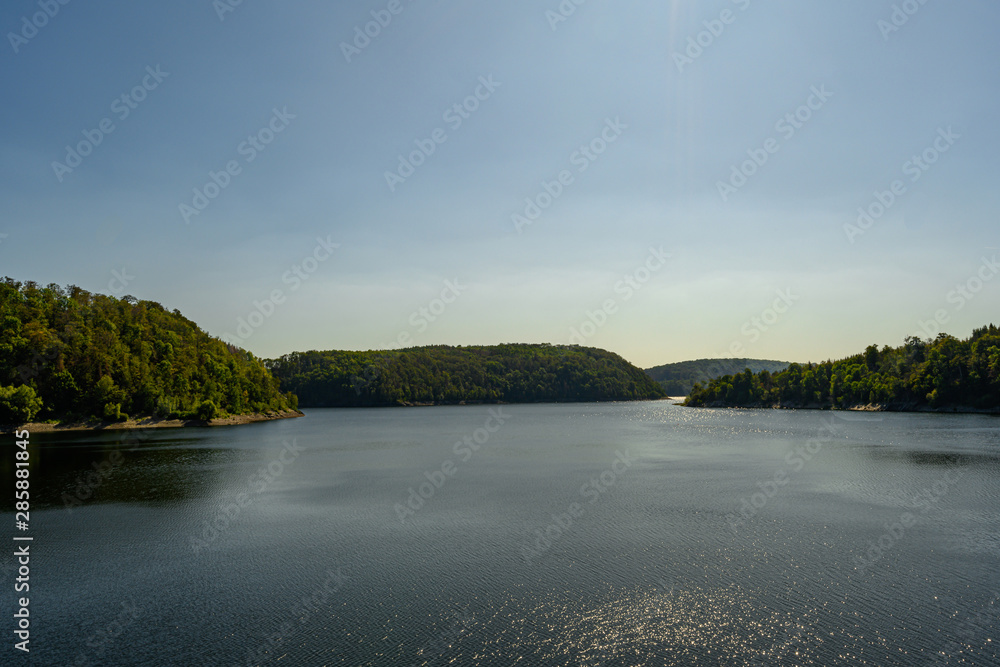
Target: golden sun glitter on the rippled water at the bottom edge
{"type": "Point", "coordinates": [678, 627]}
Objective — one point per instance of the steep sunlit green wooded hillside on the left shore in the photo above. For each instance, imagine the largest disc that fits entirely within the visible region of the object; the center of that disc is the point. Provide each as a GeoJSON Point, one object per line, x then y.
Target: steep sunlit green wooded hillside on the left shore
{"type": "Point", "coordinates": [67, 354]}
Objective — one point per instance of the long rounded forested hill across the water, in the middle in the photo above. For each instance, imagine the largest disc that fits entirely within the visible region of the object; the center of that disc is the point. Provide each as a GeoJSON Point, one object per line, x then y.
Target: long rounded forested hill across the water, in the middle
{"type": "Point", "coordinates": [444, 374]}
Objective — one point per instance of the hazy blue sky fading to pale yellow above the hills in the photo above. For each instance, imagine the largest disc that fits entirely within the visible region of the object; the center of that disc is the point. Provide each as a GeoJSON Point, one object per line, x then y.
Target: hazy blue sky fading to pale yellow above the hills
{"type": "Point", "coordinates": [335, 172]}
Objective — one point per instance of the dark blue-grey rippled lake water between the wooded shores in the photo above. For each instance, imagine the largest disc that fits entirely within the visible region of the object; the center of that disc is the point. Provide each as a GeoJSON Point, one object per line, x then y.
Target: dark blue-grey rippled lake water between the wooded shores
{"type": "Point", "coordinates": [612, 534]}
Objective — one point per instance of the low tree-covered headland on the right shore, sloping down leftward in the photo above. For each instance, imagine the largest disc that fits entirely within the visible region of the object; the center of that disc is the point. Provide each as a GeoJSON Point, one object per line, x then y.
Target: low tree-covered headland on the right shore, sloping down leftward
{"type": "Point", "coordinates": [941, 374]}
